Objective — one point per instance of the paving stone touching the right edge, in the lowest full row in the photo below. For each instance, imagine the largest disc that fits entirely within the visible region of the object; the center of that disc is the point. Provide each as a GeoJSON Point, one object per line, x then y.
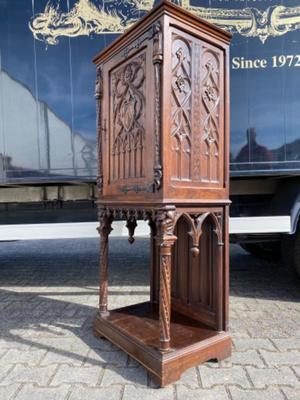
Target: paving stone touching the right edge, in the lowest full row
{"type": "Point", "coordinates": [272, 376]}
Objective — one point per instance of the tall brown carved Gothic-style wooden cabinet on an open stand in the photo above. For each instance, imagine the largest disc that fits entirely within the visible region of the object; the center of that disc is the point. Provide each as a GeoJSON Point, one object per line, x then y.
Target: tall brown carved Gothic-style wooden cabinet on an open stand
{"type": "Point", "coordinates": [162, 94]}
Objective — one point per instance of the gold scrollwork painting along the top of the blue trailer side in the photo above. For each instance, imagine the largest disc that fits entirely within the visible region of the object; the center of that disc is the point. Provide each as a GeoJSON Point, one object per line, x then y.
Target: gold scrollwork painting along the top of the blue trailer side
{"type": "Point", "coordinates": [87, 18]}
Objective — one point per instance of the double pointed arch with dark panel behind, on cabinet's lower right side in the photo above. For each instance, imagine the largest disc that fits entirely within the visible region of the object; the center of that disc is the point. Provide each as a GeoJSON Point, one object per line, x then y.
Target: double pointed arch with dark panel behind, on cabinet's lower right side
{"type": "Point", "coordinates": [196, 282]}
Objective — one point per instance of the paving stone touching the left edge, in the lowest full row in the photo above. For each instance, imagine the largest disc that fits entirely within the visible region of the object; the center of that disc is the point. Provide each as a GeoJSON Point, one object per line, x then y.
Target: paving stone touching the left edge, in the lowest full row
{"type": "Point", "coordinates": [21, 373]}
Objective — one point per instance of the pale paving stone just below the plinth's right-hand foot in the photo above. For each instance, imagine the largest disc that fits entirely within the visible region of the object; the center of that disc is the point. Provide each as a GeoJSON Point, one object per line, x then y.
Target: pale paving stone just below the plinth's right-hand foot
{"type": "Point", "coordinates": [235, 375]}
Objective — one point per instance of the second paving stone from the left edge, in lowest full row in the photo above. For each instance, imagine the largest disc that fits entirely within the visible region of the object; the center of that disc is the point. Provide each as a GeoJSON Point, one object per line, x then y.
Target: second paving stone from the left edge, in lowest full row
{"type": "Point", "coordinates": [83, 375]}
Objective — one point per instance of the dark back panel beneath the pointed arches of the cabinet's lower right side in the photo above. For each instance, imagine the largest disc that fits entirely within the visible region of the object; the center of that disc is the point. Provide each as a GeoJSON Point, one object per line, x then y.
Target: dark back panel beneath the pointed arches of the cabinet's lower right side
{"type": "Point", "coordinates": [194, 281]}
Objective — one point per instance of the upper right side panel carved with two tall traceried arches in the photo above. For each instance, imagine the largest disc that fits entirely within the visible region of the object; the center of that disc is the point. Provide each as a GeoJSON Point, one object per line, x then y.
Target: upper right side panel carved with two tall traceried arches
{"type": "Point", "coordinates": [197, 112]}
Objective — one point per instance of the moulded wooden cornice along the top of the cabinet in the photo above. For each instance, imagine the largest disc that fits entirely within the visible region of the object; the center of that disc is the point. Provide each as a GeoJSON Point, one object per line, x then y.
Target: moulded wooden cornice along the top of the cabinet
{"type": "Point", "coordinates": [165, 7]}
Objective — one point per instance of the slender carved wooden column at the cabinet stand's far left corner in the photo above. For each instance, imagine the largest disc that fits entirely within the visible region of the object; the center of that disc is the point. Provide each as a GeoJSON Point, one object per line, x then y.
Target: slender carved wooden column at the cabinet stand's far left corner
{"type": "Point", "coordinates": [104, 229]}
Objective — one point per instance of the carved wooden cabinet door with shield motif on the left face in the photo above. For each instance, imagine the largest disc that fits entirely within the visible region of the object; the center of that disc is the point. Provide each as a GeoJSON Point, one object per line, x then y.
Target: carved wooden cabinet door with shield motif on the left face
{"type": "Point", "coordinates": [128, 121]}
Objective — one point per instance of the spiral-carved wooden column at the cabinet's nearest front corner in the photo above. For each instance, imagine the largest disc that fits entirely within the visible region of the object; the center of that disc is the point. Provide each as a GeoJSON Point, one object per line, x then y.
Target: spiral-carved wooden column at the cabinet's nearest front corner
{"type": "Point", "coordinates": [165, 235]}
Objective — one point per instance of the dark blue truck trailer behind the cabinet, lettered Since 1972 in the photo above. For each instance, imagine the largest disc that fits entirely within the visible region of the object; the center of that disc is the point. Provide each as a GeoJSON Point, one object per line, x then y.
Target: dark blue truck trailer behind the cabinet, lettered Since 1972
{"type": "Point", "coordinates": [47, 116]}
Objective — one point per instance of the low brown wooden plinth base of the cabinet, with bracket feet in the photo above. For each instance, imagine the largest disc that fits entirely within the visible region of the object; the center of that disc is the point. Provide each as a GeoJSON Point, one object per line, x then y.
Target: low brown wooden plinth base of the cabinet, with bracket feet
{"type": "Point", "coordinates": [135, 329]}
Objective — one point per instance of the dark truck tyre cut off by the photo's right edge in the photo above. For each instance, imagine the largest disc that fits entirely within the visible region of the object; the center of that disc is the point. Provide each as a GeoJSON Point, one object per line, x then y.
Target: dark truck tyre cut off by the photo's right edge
{"type": "Point", "coordinates": [291, 252]}
